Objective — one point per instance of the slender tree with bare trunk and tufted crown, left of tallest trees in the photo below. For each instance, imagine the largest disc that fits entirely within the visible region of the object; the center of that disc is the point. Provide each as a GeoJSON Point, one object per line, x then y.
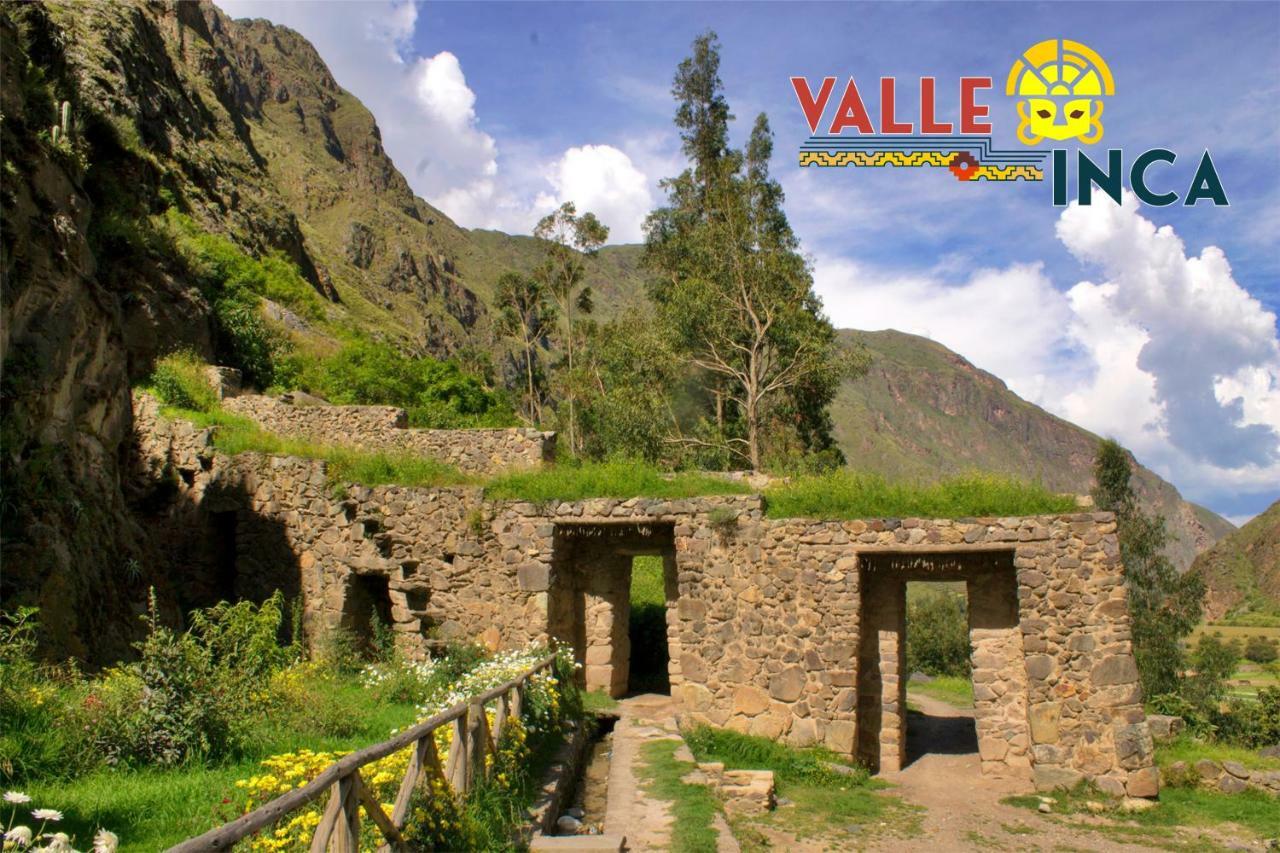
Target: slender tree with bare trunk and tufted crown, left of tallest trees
{"type": "Point", "coordinates": [570, 240]}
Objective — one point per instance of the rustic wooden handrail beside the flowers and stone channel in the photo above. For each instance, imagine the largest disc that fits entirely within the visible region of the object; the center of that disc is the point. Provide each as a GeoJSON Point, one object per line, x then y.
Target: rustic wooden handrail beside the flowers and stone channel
{"type": "Point", "coordinates": [342, 778]}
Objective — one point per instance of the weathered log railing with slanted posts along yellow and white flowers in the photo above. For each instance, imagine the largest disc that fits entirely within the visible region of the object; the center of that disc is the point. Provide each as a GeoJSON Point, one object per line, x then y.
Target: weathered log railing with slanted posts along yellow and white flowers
{"type": "Point", "coordinates": [340, 825]}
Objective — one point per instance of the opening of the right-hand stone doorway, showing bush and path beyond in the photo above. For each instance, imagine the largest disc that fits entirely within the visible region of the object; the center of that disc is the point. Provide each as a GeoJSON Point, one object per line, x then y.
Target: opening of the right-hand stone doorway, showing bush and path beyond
{"type": "Point", "coordinates": [939, 672]}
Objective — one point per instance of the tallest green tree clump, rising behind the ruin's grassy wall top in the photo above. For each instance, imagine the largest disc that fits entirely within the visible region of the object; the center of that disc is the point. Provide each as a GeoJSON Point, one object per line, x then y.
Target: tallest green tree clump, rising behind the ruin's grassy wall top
{"type": "Point", "coordinates": [733, 285]}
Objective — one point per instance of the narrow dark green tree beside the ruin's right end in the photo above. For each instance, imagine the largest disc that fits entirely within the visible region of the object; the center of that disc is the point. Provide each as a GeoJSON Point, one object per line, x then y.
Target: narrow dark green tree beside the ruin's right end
{"type": "Point", "coordinates": [1164, 606]}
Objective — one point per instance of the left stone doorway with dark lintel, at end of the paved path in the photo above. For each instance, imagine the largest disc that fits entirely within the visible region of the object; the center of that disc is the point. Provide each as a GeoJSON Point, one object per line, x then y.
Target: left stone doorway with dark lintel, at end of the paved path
{"type": "Point", "coordinates": [589, 603]}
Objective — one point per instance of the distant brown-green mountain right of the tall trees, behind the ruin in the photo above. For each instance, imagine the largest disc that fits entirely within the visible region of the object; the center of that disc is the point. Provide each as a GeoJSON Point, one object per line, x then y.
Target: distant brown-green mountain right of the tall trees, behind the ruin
{"type": "Point", "coordinates": [925, 412]}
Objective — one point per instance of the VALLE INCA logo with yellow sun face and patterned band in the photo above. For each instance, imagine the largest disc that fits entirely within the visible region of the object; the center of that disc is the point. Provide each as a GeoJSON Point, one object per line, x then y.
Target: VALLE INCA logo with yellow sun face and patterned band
{"type": "Point", "coordinates": [1058, 92]}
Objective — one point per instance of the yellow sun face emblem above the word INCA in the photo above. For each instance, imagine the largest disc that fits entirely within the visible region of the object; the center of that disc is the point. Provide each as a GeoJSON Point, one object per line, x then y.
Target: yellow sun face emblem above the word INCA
{"type": "Point", "coordinates": [1060, 86]}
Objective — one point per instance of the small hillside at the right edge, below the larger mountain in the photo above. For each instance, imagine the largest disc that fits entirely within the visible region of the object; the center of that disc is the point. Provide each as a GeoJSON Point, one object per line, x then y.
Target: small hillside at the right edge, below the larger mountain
{"type": "Point", "coordinates": [1242, 571]}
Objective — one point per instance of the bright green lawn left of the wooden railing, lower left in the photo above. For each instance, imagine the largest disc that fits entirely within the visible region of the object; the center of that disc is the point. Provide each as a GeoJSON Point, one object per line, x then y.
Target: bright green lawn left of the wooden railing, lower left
{"type": "Point", "coordinates": [154, 809]}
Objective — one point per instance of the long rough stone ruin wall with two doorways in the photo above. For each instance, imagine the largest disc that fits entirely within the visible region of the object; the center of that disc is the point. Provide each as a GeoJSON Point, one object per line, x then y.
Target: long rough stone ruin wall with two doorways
{"type": "Point", "coordinates": [785, 628]}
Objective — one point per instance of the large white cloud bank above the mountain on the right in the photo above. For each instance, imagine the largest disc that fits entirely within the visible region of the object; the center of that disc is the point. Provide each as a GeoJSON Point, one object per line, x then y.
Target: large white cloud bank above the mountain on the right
{"type": "Point", "coordinates": [1168, 354]}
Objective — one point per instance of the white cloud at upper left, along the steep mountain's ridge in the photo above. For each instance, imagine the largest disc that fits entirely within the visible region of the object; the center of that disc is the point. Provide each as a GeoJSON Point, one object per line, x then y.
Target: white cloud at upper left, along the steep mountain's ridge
{"type": "Point", "coordinates": [435, 133]}
